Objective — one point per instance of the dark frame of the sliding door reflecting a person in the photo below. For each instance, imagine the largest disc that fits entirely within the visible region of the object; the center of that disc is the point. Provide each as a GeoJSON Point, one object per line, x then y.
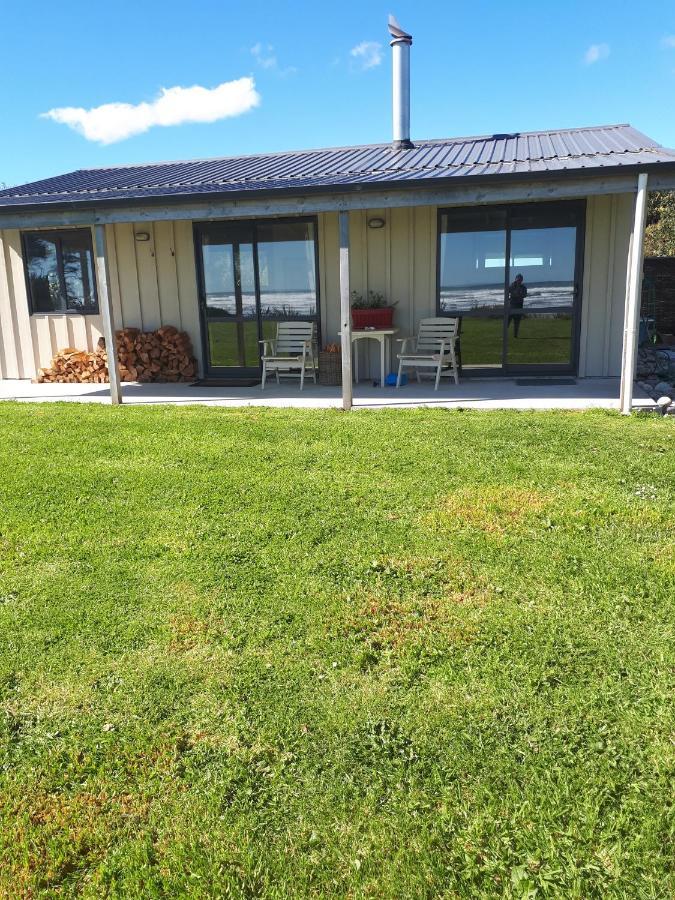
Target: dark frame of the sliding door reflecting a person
{"type": "Point", "coordinates": [547, 210]}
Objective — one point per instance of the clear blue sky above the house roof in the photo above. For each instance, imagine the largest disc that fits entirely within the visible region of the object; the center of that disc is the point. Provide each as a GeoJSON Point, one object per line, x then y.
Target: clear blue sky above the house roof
{"type": "Point", "coordinates": [315, 74]}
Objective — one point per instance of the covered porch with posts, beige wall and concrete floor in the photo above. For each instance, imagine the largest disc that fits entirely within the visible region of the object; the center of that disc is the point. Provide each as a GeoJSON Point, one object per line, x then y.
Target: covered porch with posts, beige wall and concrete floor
{"type": "Point", "coordinates": [446, 249]}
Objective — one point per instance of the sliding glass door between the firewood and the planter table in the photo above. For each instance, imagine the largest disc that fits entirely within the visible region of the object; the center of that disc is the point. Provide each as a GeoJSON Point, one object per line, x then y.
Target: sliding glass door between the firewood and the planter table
{"type": "Point", "coordinates": [253, 275]}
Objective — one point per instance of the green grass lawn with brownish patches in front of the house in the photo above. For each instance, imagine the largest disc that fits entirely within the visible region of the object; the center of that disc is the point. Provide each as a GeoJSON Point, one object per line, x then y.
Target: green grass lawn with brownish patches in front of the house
{"type": "Point", "coordinates": [398, 654]}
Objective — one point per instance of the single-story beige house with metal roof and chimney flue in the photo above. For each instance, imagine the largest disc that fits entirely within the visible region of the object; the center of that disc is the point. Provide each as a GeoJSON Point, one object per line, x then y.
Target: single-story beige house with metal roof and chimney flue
{"type": "Point", "coordinates": [225, 248]}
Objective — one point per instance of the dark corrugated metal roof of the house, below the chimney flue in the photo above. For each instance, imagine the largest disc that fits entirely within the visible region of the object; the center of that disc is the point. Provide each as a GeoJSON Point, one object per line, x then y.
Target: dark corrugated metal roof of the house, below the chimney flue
{"type": "Point", "coordinates": [532, 153]}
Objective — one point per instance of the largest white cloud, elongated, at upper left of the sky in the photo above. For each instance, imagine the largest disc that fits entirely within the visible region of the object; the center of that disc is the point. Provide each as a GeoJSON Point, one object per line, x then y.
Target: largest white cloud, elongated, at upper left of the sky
{"type": "Point", "coordinates": [113, 122]}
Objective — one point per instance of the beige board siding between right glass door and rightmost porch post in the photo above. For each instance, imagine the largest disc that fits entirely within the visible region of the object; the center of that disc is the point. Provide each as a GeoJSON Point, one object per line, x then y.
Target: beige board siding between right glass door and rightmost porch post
{"type": "Point", "coordinates": [608, 228]}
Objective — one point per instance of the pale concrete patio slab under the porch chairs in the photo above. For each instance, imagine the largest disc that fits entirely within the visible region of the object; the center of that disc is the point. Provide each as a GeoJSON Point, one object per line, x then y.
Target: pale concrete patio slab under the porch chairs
{"type": "Point", "coordinates": [493, 393]}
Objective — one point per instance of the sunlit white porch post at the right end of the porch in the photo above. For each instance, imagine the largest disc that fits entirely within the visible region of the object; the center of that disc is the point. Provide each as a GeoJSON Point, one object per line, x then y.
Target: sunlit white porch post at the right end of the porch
{"type": "Point", "coordinates": [631, 324]}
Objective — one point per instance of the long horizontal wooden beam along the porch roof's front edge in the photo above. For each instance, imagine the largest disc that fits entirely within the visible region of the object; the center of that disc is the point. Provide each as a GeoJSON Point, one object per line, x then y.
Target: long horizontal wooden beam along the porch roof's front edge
{"type": "Point", "coordinates": [464, 194]}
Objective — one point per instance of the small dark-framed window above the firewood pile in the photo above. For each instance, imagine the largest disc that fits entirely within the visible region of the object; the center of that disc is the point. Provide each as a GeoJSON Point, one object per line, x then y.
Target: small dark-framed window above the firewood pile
{"type": "Point", "coordinates": [60, 271]}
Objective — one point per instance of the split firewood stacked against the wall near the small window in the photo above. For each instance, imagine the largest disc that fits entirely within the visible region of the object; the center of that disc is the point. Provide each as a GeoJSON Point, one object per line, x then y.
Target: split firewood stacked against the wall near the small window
{"type": "Point", "coordinates": [162, 355]}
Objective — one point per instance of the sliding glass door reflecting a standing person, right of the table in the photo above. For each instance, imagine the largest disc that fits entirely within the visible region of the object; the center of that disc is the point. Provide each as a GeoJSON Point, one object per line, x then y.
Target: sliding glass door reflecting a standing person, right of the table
{"type": "Point", "coordinates": [511, 274]}
